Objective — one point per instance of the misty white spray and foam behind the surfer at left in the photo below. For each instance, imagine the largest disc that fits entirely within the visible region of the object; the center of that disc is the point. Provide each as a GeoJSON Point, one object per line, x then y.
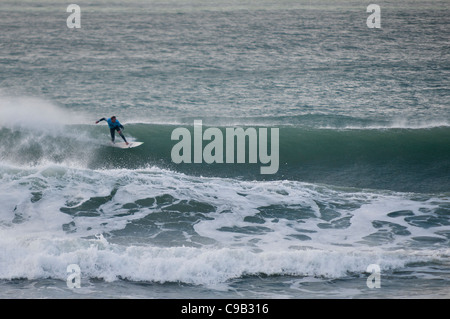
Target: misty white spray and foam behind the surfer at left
{"type": "Point", "coordinates": [44, 133]}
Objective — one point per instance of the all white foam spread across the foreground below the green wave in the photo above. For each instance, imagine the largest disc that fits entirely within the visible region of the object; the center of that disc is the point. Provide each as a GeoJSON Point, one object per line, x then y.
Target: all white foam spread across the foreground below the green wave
{"type": "Point", "coordinates": [38, 247]}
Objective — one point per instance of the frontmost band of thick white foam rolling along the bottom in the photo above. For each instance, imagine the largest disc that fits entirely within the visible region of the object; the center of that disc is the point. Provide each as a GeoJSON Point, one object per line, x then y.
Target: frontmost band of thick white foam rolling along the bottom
{"type": "Point", "coordinates": [33, 258]}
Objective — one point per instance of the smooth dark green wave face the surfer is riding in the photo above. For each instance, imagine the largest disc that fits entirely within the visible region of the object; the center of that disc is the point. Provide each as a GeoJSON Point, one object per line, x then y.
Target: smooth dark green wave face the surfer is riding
{"type": "Point", "coordinates": [400, 159]}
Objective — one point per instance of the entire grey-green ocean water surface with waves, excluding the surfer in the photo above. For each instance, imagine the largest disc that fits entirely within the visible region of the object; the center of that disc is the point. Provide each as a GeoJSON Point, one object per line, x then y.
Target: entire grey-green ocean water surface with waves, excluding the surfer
{"type": "Point", "coordinates": [364, 150]}
